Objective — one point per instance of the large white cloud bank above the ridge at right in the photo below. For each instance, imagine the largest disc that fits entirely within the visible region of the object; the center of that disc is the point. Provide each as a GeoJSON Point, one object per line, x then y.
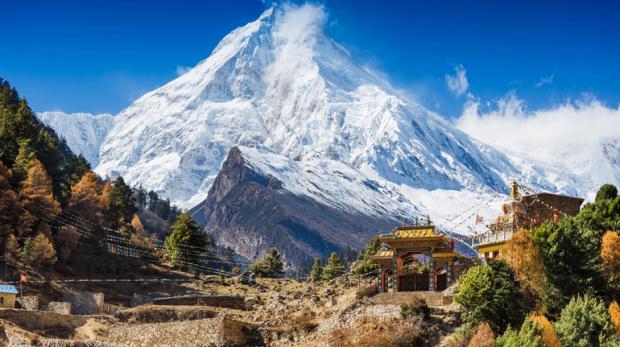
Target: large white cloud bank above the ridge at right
{"type": "Point", "coordinates": [509, 124]}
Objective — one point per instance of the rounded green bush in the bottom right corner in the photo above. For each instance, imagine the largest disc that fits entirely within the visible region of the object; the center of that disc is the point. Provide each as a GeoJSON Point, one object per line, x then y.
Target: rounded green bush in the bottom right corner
{"type": "Point", "coordinates": [584, 322]}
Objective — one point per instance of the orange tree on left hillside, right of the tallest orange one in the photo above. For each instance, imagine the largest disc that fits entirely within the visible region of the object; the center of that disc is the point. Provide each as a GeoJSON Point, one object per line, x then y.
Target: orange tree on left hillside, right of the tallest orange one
{"type": "Point", "coordinates": [87, 198]}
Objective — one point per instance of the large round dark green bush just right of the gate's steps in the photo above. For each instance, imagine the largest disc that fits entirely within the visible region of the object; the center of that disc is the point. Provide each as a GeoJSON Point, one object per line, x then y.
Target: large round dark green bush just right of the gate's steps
{"type": "Point", "coordinates": [490, 293]}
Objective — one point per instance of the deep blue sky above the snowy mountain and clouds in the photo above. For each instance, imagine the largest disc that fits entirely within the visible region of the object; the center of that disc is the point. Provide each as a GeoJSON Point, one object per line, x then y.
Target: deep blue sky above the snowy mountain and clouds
{"type": "Point", "coordinates": [98, 56]}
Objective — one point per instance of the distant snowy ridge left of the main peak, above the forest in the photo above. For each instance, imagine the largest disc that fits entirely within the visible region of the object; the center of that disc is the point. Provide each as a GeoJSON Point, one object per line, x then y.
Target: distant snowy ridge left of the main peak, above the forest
{"type": "Point", "coordinates": [83, 132]}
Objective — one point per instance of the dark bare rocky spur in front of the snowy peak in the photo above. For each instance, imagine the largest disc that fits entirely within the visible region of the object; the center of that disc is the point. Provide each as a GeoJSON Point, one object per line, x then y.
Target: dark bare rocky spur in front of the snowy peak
{"type": "Point", "coordinates": [251, 209]}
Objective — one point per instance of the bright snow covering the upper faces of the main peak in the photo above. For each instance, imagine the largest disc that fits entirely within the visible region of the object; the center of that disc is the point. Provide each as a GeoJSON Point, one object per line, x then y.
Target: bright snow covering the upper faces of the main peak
{"type": "Point", "coordinates": [280, 82]}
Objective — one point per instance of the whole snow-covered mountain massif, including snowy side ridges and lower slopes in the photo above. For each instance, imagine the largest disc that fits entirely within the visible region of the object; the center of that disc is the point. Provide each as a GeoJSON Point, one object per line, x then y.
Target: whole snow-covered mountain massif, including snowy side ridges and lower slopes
{"type": "Point", "coordinates": [305, 113]}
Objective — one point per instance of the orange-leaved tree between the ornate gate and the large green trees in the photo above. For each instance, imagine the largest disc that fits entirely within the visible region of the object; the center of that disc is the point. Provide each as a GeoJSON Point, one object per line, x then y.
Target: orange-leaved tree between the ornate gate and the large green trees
{"type": "Point", "coordinates": [523, 257]}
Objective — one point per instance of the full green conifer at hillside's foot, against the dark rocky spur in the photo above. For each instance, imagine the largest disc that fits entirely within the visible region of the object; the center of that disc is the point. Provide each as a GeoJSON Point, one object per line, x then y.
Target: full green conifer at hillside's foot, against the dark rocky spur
{"type": "Point", "coordinates": [181, 242]}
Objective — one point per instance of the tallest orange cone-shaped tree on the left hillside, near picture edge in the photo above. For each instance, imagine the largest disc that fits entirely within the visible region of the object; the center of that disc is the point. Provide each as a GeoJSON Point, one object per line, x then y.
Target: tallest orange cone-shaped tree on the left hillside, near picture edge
{"type": "Point", "coordinates": [37, 198]}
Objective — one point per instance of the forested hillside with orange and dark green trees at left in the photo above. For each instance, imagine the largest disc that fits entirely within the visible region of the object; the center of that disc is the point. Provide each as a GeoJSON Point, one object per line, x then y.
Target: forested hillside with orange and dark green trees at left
{"type": "Point", "coordinates": [59, 216]}
